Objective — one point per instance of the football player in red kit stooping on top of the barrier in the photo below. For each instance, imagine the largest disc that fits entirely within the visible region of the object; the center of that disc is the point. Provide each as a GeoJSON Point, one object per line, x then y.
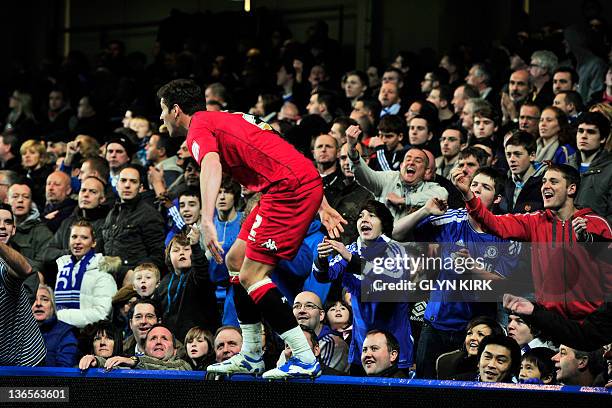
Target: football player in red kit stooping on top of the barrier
{"type": "Point", "coordinates": [259, 159]}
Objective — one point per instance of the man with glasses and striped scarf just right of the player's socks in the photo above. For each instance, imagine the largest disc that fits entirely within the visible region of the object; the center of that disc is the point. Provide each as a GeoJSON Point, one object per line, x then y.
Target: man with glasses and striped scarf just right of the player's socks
{"type": "Point", "coordinates": [308, 311]}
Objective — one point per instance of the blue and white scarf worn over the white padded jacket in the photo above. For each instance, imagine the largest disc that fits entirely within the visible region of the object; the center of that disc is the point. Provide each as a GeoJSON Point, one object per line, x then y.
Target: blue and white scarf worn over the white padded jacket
{"type": "Point", "coordinates": [68, 285]}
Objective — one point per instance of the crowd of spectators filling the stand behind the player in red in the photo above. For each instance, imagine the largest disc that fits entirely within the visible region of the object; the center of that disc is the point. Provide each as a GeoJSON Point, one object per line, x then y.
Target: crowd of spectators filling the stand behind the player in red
{"type": "Point", "coordinates": [100, 208]}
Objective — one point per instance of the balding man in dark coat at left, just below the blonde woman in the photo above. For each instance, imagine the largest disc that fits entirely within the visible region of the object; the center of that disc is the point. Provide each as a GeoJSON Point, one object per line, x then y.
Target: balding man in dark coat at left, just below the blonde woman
{"type": "Point", "coordinates": [59, 204]}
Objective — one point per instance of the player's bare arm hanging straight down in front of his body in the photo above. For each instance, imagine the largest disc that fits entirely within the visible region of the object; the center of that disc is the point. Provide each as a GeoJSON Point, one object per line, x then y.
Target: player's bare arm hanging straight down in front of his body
{"type": "Point", "coordinates": [210, 183]}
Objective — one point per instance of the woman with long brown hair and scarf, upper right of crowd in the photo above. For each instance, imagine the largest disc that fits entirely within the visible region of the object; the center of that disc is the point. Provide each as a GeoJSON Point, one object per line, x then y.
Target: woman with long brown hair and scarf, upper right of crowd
{"type": "Point", "coordinates": [554, 143]}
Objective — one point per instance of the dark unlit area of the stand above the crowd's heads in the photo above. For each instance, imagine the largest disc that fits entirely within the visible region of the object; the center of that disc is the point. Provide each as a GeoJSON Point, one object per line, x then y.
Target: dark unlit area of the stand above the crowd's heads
{"type": "Point", "coordinates": [369, 31]}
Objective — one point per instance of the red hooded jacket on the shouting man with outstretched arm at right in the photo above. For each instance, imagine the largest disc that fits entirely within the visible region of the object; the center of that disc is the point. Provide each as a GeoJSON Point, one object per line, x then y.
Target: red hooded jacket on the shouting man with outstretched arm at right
{"type": "Point", "coordinates": [567, 277]}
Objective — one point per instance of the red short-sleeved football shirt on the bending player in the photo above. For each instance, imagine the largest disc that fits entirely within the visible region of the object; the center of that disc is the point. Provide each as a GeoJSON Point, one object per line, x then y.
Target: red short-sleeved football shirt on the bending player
{"type": "Point", "coordinates": [253, 154]}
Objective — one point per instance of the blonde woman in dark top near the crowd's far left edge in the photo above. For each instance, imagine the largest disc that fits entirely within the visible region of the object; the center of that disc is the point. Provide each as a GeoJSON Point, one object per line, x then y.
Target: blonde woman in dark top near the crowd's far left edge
{"type": "Point", "coordinates": [35, 161]}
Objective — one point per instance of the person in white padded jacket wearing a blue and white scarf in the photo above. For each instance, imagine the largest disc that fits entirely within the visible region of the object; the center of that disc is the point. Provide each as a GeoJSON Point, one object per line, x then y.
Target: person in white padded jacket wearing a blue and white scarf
{"type": "Point", "coordinates": [83, 292]}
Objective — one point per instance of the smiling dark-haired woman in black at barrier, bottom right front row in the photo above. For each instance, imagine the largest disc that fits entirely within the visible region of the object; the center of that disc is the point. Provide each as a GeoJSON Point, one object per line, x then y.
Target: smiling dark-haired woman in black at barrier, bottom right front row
{"type": "Point", "coordinates": [464, 360]}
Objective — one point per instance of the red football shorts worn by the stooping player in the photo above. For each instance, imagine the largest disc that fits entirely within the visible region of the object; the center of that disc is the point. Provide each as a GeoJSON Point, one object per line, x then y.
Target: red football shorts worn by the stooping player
{"type": "Point", "coordinates": [278, 224]}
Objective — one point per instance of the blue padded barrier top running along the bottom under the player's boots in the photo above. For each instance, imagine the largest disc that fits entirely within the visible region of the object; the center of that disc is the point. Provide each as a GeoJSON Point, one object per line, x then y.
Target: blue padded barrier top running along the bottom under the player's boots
{"type": "Point", "coordinates": [325, 379]}
